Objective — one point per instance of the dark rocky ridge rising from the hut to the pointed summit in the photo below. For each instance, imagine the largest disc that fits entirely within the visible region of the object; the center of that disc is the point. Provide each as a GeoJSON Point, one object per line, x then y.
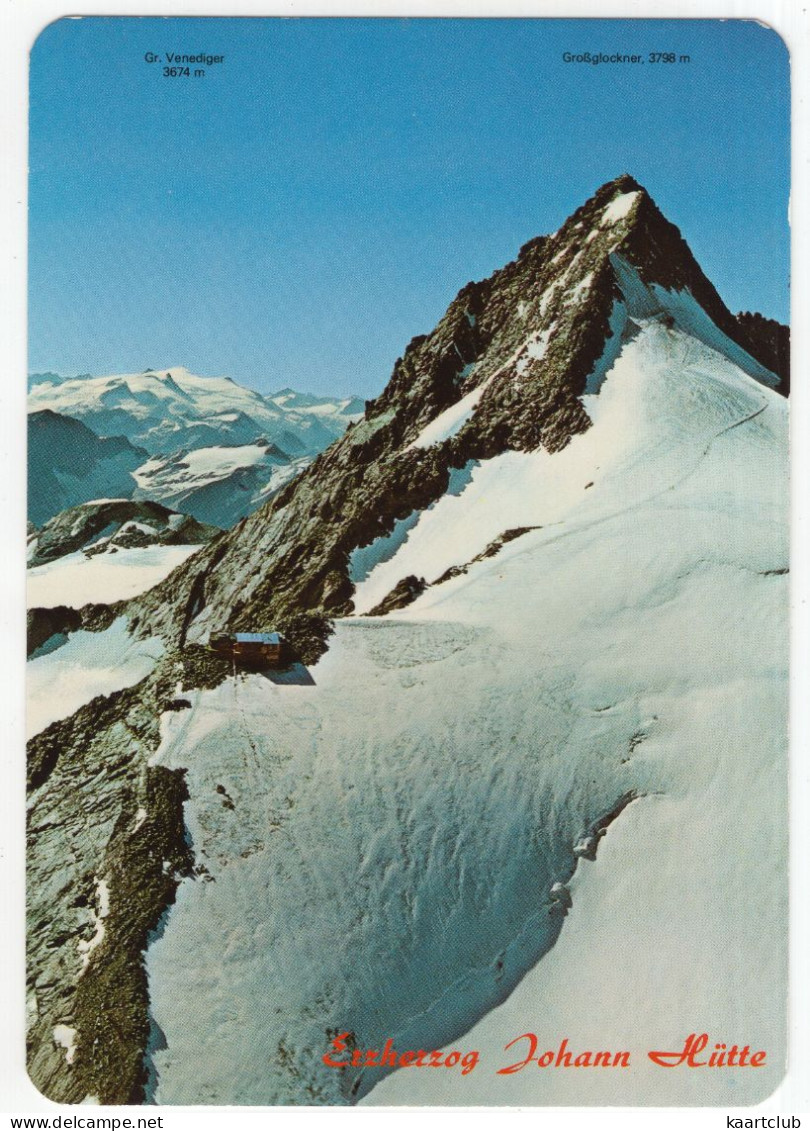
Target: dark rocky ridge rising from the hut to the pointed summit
{"type": "Point", "coordinates": [504, 369]}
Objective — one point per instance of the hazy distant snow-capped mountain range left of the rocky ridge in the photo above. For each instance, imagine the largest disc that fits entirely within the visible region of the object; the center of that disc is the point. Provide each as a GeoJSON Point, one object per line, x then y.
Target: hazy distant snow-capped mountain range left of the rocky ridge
{"type": "Point", "coordinates": [214, 448]}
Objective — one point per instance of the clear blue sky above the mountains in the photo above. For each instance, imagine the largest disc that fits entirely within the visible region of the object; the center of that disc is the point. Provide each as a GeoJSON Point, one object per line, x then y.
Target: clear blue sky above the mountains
{"type": "Point", "coordinates": [298, 214]}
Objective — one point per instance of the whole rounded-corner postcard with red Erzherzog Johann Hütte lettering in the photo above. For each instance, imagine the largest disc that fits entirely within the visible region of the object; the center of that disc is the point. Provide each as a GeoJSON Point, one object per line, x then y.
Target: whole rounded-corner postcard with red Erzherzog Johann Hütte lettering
{"type": "Point", "coordinates": [408, 563]}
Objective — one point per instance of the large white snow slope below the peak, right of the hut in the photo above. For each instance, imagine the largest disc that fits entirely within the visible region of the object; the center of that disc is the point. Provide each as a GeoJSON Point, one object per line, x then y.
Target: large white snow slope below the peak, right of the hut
{"type": "Point", "coordinates": [645, 624]}
